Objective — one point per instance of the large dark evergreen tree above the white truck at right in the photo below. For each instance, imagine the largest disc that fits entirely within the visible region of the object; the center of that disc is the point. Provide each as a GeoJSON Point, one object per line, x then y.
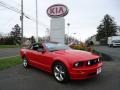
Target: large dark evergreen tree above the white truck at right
{"type": "Point", "coordinates": [106, 28]}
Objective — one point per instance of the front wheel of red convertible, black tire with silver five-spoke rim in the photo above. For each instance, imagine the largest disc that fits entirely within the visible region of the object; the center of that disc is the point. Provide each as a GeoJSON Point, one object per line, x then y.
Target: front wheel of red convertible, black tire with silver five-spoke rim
{"type": "Point", "coordinates": [60, 72]}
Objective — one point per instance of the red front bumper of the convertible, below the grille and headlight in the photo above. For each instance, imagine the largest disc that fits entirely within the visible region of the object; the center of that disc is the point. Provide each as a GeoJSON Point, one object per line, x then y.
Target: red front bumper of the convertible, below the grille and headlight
{"type": "Point", "coordinates": [86, 72]}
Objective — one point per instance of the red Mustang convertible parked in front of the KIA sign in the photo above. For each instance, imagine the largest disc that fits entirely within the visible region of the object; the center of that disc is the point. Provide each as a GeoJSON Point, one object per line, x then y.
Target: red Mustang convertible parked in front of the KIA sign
{"type": "Point", "coordinates": [61, 61]}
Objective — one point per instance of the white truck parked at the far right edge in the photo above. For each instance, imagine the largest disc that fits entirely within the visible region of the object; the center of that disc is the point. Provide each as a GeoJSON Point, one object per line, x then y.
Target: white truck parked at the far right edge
{"type": "Point", "coordinates": [113, 41]}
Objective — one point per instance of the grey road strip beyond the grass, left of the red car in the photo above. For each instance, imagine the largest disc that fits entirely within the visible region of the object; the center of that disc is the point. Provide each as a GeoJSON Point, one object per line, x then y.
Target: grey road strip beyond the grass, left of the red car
{"type": "Point", "coordinates": [9, 52]}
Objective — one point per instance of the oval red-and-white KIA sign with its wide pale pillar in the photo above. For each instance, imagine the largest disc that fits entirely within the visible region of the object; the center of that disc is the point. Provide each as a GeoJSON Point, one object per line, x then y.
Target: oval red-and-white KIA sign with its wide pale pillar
{"type": "Point", "coordinates": [57, 23]}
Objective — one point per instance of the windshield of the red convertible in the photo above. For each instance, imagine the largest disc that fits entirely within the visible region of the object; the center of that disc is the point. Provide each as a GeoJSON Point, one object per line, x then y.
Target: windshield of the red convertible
{"type": "Point", "coordinates": [56, 46]}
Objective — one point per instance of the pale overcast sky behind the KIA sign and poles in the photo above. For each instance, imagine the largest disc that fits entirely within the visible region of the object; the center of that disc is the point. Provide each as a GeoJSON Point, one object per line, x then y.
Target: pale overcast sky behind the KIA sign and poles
{"type": "Point", "coordinates": [84, 16]}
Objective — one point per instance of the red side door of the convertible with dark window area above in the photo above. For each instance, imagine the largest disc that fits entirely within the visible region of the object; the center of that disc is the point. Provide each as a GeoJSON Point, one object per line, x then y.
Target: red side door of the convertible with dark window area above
{"type": "Point", "coordinates": [39, 57]}
